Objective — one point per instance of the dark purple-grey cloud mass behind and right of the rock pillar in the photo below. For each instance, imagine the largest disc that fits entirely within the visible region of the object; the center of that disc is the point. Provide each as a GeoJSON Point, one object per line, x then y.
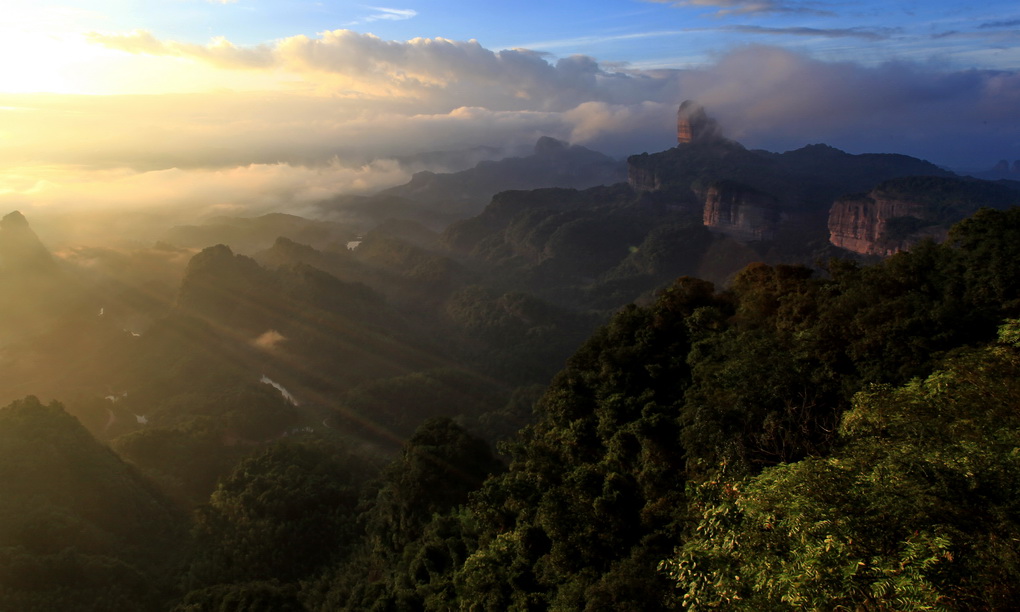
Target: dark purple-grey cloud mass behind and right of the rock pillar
{"type": "Point", "coordinates": [778, 100]}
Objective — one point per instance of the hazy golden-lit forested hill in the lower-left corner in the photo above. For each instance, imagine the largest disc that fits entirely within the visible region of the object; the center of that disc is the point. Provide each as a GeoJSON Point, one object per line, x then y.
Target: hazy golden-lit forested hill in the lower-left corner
{"type": "Point", "coordinates": [80, 530]}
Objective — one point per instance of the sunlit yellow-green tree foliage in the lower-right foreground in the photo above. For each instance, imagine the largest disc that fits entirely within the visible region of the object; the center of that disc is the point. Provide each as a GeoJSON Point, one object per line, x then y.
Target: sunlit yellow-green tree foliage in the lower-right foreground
{"type": "Point", "coordinates": [917, 511]}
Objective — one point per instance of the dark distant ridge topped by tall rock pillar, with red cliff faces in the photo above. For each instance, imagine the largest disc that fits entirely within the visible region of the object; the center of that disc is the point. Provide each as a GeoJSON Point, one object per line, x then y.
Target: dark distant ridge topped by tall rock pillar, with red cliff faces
{"type": "Point", "coordinates": [801, 195]}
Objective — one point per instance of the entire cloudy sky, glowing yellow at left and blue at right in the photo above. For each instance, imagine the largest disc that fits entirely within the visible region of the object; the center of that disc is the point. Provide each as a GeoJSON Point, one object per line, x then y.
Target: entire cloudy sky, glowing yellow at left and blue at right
{"type": "Point", "coordinates": [226, 107]}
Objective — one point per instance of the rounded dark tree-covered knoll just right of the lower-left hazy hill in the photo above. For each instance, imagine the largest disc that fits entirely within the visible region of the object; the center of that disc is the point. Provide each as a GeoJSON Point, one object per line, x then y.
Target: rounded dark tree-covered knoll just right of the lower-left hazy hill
{"type": "Point", "coordinates": [282, 515]}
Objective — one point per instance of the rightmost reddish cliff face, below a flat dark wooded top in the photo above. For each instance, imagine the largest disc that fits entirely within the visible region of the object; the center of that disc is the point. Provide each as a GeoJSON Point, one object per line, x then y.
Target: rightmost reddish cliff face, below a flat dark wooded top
{"type": "Point", "coordinates": [879, 225]}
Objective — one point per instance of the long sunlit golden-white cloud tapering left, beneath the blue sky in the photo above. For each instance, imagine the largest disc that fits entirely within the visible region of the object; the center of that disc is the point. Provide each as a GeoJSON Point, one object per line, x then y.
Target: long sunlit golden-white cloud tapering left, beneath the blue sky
{"type": "Point", "coordinates": [434, 73]}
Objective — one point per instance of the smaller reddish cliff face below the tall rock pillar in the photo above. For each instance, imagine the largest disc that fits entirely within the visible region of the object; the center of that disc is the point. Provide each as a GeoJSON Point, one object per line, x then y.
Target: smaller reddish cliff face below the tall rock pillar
{"type": "Point", "coordinates": [741, 213]}
